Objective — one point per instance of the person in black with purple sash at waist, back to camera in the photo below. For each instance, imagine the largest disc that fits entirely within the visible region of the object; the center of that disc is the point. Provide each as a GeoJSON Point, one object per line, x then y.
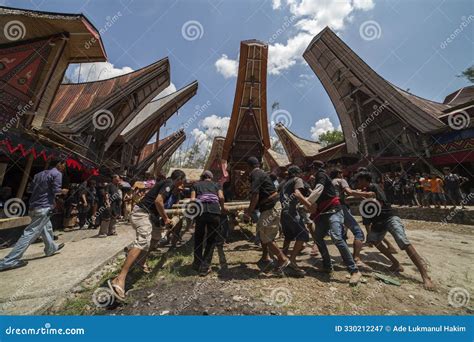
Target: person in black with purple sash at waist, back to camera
{"type": "Point", "coordinates": [207, 202]}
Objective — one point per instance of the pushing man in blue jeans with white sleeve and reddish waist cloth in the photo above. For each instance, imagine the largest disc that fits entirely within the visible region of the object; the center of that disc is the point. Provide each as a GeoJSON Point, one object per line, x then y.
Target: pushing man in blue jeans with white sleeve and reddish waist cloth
{"type": "Point", "coordinates": [329, 219]}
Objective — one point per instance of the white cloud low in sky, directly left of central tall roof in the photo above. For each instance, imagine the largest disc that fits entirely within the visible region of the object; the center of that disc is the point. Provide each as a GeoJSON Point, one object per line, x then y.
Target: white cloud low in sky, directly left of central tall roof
{"type": "Point", "coordinates": [210, 127]}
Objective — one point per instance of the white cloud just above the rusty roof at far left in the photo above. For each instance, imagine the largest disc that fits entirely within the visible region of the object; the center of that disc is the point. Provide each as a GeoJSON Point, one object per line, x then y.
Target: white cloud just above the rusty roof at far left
{"type": "Point", "coordinates": [89, 72]}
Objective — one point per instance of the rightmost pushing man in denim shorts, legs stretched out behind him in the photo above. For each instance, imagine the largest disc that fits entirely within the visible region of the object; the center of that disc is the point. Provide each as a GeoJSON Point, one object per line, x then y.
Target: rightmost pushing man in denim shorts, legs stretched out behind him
{"type": "Point", "coordinates": [385, 221]}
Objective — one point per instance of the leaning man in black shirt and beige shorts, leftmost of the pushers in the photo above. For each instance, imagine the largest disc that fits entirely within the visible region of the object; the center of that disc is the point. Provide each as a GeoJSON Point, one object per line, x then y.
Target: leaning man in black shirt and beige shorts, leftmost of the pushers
{"type": "Point", "coordinates": [152, 205]}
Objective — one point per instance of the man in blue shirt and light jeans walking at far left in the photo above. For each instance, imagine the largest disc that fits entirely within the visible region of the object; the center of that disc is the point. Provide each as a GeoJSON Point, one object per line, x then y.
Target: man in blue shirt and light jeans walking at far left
{"type": "Point", "coordinates": [45, 186]}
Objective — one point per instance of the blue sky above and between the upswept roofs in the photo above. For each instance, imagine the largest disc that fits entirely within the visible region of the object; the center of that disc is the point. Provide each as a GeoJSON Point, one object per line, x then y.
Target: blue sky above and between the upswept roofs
{"type": "Point", "coordinates": [408, 51]}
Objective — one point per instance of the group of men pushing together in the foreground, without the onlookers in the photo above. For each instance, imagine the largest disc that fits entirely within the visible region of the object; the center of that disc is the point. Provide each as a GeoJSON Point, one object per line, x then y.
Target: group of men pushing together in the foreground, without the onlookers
{"type": "Point", "coordinates": [291, 206]}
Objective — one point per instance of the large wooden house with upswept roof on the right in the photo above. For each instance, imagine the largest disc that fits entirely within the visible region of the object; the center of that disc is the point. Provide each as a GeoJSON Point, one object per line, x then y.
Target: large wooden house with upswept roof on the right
{"type": "Point", "coordinates": [380, 121]}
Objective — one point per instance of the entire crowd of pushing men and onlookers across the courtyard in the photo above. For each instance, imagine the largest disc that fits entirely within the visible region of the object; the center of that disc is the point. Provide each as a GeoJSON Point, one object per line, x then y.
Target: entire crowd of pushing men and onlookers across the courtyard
{"type": "Point", "coordinates": [300, 206]}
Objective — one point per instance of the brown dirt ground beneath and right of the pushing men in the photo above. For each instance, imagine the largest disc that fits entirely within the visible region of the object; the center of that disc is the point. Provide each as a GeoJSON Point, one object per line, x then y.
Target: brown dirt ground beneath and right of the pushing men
{"type": "Point", "coordinates": [239, 288]}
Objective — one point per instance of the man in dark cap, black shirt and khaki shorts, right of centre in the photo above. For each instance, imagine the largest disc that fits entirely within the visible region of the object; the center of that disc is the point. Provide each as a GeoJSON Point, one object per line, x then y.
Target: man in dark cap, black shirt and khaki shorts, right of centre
{"type": "Point", "coordinates": [264, 197]}
